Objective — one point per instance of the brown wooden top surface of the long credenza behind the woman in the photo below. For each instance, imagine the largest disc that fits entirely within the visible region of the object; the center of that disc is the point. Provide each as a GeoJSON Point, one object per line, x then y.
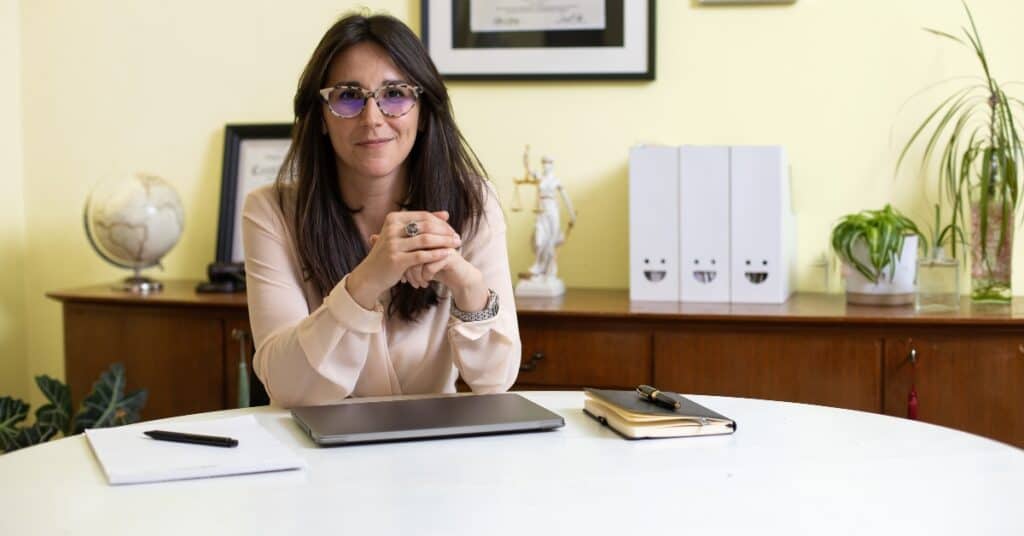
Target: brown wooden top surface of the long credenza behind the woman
{"type": "Point", "coordinates": [615, 304]}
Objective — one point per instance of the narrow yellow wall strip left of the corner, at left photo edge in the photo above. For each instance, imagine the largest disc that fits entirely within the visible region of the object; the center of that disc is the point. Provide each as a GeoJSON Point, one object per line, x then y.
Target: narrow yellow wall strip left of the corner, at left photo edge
{"type": "Point", "coordinates": [13, 360]}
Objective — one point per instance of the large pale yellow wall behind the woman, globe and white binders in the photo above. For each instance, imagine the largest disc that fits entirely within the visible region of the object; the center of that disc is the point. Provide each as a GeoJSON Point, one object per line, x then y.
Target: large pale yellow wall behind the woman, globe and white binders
{"type": "Point", "coordinates": [149, 86]}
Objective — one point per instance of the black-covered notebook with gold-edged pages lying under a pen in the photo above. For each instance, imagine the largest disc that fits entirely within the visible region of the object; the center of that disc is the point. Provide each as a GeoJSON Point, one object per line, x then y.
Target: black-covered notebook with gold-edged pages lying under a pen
{"type": "Point", "coordinates": [634, 418]}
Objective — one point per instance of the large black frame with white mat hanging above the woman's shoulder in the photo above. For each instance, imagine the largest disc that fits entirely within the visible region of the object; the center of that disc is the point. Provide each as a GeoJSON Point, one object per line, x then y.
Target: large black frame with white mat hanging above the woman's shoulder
{"type": "Point", "coordinates": [541, 39]}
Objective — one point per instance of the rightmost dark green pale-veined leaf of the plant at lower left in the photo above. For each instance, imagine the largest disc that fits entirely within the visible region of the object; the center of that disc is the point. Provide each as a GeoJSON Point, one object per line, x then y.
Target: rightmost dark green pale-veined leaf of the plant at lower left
{"type": "Point", "coordinates": [107, 405]}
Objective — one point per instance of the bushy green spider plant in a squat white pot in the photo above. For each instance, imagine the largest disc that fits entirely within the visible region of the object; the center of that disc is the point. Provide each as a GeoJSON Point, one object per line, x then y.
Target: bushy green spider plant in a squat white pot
{"type": "Point", "coordinates": [879, 251]}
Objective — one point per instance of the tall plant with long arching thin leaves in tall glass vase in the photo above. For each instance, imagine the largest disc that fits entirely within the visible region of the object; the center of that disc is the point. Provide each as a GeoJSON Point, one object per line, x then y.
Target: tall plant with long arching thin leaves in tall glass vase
{"type": "Point", "coordinates": [973, 139]}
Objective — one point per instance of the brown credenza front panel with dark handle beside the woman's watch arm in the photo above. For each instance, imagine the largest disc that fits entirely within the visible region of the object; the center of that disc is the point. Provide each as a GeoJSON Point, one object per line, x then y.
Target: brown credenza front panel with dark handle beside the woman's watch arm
{"type": "Point", "coordinates": [592, 355]}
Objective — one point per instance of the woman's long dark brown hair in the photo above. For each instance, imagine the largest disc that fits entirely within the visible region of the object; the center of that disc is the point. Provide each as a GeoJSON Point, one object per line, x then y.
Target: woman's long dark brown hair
{"type": "Point", "coordinates": [444, 173]}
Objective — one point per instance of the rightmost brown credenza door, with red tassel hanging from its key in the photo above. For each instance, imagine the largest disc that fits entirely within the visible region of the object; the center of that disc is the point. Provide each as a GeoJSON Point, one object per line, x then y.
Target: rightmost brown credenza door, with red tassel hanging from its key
{"type": "Point", "coordinates": [970, 382]}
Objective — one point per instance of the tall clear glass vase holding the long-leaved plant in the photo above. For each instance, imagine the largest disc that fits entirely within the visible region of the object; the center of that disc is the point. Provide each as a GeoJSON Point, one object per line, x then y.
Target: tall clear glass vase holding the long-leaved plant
{"type": "Point", "coordinates": [992, 255]}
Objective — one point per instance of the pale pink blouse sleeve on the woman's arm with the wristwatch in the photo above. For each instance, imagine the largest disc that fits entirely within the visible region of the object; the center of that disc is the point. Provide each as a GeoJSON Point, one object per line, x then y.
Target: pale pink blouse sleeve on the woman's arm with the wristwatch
{"type": "Point", "coordinates": [488, 353]}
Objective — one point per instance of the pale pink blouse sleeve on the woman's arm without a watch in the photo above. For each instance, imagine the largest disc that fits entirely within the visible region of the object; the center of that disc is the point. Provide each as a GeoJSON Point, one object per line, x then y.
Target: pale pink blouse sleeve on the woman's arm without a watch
{"type": "Point", "coordinates": [303, 357]}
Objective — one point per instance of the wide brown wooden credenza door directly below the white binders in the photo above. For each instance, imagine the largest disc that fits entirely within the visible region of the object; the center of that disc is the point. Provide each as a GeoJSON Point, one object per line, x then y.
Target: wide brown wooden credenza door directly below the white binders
{"type": "Point", "coordinates": [816, 366]}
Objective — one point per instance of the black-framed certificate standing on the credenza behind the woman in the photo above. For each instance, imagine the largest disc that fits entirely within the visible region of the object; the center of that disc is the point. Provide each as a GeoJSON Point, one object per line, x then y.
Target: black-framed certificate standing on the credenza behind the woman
{"type": "Point", "coordinates": [253, 155]}
